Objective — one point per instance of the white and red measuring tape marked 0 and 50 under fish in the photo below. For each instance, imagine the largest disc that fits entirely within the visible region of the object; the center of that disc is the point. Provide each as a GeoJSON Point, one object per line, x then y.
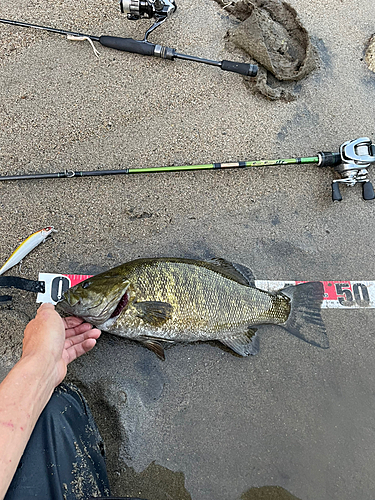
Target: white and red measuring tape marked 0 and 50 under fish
{"type": "Point", "coordinates": [337, 294]}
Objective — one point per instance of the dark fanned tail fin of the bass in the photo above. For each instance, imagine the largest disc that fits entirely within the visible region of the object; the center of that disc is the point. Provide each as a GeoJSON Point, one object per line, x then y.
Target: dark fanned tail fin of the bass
{"type": "Point", "coordinates": [305, 320]}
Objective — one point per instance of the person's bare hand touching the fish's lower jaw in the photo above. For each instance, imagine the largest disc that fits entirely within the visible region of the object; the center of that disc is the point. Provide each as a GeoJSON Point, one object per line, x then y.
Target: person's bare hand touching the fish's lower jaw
{"type": "Point", "coordinates": [57, 341]}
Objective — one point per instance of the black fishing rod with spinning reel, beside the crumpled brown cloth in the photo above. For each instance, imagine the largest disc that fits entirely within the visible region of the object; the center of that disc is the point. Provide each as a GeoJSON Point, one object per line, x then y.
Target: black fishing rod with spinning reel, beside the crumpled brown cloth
{"type": "Point", "coordinates": [160, 10]}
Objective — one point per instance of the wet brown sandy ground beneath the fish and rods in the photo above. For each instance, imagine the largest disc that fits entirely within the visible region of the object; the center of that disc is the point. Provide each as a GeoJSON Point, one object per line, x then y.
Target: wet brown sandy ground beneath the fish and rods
{"type": "Point", "coordinates": [204, 424]}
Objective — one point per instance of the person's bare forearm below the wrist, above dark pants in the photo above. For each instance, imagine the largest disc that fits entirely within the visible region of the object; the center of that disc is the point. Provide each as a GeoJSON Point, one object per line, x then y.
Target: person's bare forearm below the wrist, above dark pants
{"type": "Point", "coordinates": [23, 395]}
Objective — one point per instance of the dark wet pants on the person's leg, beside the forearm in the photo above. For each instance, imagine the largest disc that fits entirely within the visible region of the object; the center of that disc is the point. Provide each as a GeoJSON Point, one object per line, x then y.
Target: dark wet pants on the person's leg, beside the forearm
{"type": "Point", "coordinates": [64, 459]}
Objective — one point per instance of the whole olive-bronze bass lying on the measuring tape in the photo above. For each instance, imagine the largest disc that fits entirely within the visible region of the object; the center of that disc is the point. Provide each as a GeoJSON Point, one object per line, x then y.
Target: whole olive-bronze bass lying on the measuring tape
{"type": "Point", "coordinates": [156, 300]}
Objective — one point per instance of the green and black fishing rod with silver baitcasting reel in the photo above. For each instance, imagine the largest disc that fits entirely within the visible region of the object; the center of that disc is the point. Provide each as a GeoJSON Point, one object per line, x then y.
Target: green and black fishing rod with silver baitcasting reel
{"type": "Point", "coordinates": [351, 162]}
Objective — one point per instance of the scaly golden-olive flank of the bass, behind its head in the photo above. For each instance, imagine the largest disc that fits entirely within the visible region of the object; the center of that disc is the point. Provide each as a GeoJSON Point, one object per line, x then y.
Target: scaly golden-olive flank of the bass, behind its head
{"type": "Point", "coordinates": [204, 303]}
